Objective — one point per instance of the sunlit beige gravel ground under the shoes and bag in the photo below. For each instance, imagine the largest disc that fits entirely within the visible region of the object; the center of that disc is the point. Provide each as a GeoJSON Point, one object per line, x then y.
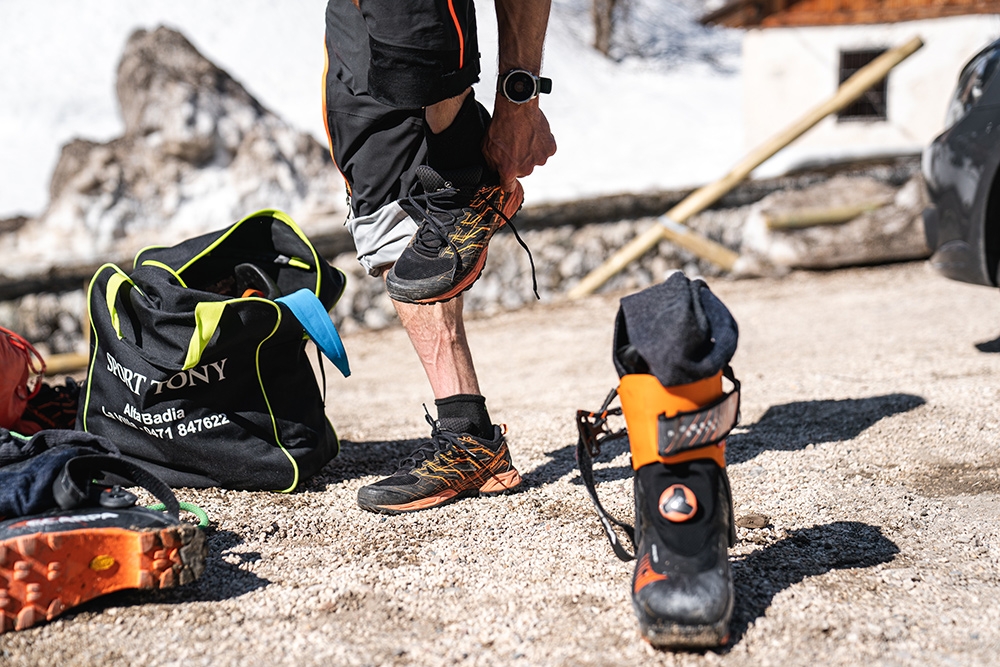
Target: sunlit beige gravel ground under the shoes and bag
{"type": "Point", "coordinates": [869, 443]}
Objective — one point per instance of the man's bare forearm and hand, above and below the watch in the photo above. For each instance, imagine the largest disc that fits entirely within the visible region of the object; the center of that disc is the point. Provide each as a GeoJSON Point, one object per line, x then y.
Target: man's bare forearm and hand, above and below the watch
{"type": "Point", "coordinates": [519, 138]}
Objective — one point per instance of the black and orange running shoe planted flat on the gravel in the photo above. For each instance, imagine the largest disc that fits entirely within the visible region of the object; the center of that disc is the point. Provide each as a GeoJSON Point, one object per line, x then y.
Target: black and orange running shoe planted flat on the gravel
{"type": "Point", "coordinates": [447, 467]}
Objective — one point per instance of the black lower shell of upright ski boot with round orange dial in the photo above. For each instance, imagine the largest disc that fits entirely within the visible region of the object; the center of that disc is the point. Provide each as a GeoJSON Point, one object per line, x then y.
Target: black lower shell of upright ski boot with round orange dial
{"type": "Point", "coordinates": [682, 588]}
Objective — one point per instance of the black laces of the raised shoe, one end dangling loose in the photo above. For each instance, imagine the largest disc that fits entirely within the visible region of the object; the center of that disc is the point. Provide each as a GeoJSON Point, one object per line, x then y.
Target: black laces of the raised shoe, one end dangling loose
{"type": "Point", "coordinates": [440, 220]}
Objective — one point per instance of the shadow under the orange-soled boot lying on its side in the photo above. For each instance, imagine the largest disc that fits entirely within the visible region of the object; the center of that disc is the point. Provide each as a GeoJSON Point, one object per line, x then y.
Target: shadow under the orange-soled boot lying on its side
{"type": "Point", "coordinates": [221, 580]}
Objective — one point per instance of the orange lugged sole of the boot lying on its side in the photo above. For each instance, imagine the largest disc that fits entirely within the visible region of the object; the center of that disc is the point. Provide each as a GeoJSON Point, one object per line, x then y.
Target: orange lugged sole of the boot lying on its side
{"type": "Point", "coordinates": [44, 574]}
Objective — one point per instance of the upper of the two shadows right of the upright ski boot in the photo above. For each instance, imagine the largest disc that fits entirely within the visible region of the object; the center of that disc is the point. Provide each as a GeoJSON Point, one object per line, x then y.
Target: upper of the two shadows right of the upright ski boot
{"type": "Point", "coordinates": [792, 426]}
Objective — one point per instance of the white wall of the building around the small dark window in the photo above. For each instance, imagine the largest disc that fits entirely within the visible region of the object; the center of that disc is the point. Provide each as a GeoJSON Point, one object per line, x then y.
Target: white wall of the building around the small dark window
{"type": "Point", "coordinates": [789, 71]}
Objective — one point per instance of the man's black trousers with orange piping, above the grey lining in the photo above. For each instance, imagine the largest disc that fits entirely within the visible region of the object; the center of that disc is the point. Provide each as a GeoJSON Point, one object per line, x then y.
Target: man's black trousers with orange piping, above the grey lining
{"type": "Point", "coordinates": [385, 62]}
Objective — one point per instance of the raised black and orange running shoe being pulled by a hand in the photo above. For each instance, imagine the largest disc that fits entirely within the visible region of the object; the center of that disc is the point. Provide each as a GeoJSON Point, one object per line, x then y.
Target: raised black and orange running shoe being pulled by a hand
{"type": "Point", "coordinates": [457, 218]}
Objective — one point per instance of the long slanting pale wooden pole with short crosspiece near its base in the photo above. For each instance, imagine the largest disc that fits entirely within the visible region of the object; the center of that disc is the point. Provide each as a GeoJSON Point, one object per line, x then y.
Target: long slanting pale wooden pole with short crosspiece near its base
{"type": "Point", "coordinates": [670, 226]}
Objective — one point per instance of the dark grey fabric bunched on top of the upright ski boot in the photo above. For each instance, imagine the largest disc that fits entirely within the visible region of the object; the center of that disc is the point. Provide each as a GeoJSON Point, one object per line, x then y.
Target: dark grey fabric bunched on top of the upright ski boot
{"type": "Point", "coordinates": [677, 331]}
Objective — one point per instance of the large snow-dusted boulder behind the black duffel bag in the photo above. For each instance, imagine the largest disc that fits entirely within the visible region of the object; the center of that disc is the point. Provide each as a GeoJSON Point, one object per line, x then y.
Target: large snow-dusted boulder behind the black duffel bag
{"type": "Point", "coordinates": [198, 153]}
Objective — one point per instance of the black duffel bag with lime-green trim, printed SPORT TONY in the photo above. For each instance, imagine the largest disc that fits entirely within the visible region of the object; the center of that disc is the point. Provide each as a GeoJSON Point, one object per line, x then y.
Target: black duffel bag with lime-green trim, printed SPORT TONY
{"type": "Point", "coordinates": [198, 365]}
